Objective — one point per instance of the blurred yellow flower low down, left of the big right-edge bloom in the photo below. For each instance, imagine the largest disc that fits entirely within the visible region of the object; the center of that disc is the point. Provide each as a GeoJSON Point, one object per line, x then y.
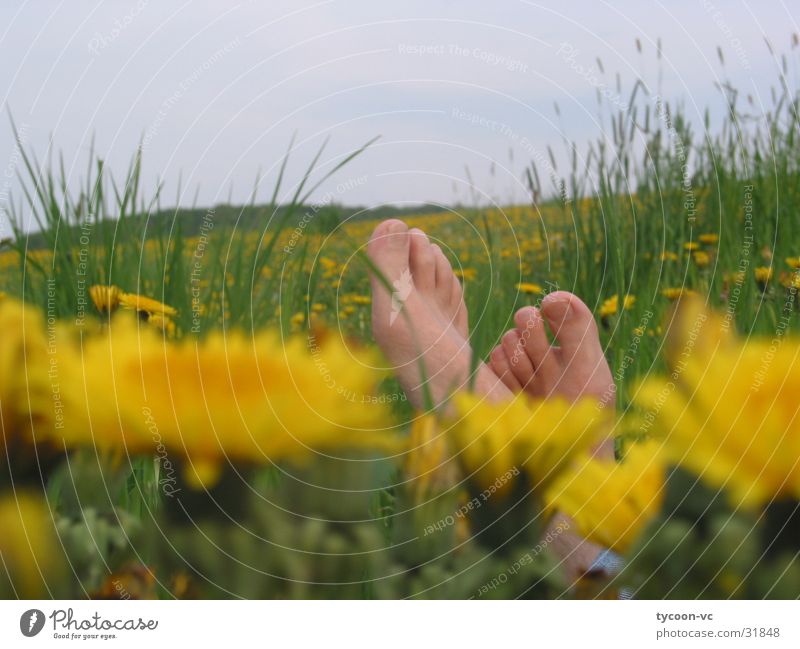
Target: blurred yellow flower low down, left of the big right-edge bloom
{"type": "Point", "coordinates": [610, 501]}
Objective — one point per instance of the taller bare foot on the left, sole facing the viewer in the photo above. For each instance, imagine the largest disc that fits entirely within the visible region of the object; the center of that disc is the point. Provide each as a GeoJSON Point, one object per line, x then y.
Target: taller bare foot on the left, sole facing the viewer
{"type": "Point", "coordinates": [423, 320]}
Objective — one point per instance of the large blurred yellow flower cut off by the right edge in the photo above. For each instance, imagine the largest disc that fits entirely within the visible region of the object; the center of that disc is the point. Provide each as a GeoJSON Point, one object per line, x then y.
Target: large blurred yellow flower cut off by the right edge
{"type": "Point", "coordinates": [729, 410]}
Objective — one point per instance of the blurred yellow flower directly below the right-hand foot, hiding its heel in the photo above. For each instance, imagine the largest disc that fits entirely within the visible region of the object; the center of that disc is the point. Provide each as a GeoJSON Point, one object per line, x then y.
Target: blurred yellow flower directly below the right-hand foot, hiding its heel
{"type": "Point", "coordinates": [539, 437]}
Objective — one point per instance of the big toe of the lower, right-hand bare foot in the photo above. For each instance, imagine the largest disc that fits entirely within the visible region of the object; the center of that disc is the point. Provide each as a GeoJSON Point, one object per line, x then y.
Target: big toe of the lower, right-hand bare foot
{"type": "Point", "coordinates": [574, 327]}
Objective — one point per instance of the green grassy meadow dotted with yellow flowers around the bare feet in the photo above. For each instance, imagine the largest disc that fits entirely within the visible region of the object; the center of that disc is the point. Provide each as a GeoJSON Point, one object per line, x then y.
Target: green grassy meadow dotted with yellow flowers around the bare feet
{"type": "Point", "coordinates": [196, 439]}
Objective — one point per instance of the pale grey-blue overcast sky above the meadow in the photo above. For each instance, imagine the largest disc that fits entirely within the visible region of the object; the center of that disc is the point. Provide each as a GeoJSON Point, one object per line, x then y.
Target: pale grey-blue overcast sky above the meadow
{"type": "Point", "coordinates": [214, 90]}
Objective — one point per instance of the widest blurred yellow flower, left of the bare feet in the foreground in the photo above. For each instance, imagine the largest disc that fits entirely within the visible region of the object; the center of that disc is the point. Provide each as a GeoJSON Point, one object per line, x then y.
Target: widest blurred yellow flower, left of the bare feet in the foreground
{"type": "Point", "coordinates": [250, 399]}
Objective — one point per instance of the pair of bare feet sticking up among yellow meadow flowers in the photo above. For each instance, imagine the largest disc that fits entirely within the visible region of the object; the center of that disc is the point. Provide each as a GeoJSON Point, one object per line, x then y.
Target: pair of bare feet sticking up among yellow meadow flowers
{"type": "Point", "coordinates": [422, 323]}
